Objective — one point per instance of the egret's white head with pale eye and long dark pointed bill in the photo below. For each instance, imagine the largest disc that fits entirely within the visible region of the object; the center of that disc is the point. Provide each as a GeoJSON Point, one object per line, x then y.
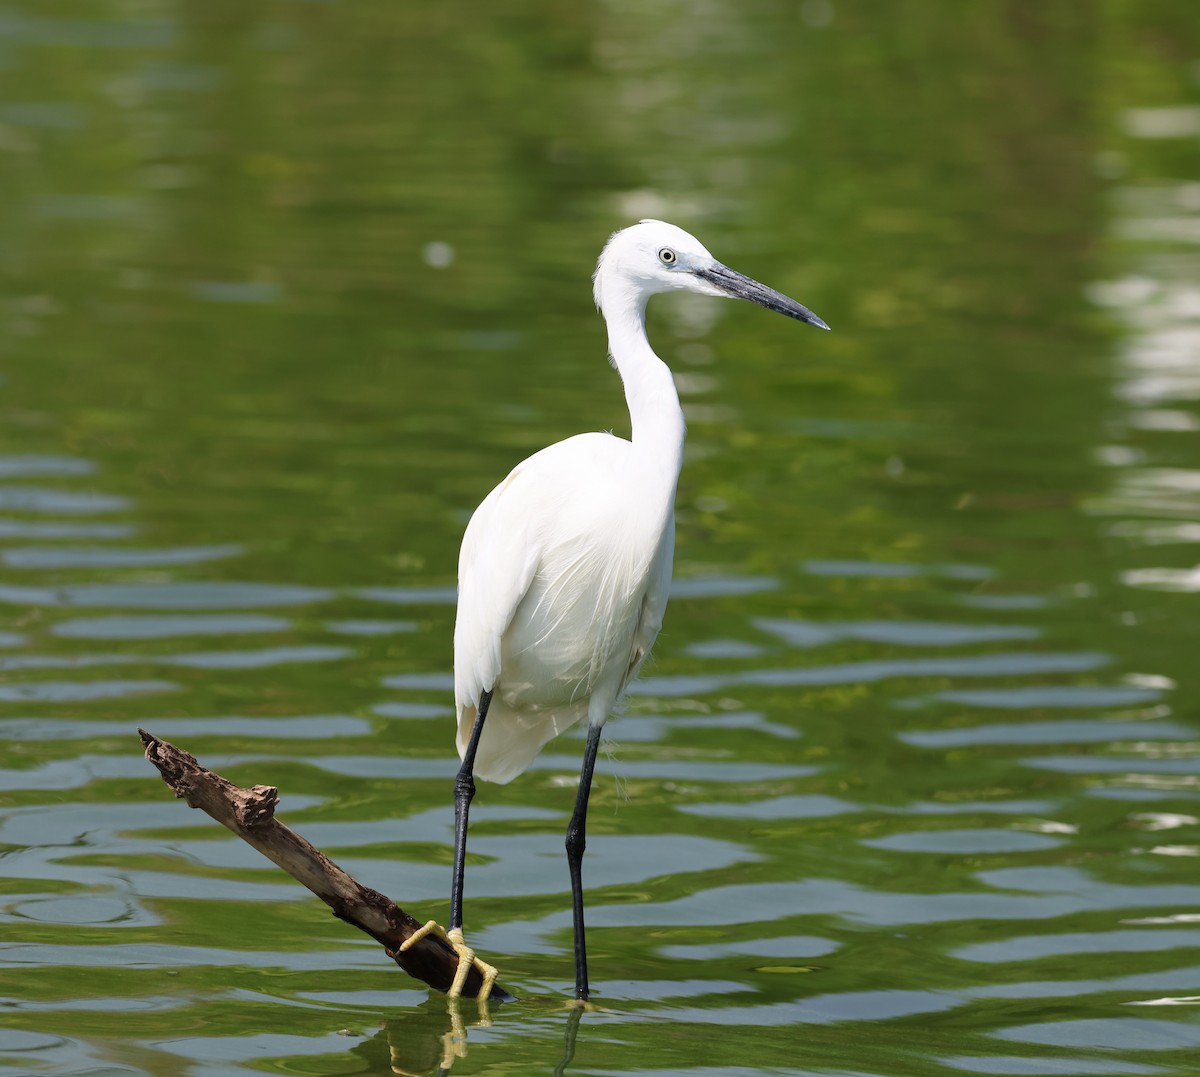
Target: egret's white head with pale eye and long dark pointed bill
{"type": "Point", "coordinates": [653, 257]}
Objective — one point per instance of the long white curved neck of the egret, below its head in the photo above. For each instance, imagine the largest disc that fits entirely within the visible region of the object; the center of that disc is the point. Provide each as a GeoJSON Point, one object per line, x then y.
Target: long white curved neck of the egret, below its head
{"type": "Point", "coordinates": [658, 425]}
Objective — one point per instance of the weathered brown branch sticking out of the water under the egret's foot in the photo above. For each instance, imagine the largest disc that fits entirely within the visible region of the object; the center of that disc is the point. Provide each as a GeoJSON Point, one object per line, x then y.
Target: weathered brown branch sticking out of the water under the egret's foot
{"type": "Point", "coordinates": [250, 814]}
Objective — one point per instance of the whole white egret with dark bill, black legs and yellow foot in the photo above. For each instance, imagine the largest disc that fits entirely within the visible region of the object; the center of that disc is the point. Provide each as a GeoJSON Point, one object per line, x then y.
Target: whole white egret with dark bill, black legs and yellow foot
{"type": "Point", "coordinates": [566, 567]}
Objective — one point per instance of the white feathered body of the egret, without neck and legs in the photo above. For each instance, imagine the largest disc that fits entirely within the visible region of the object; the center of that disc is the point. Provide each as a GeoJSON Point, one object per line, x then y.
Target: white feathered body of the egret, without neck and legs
{"type": "Point", "coordinates": [562, 586]}
